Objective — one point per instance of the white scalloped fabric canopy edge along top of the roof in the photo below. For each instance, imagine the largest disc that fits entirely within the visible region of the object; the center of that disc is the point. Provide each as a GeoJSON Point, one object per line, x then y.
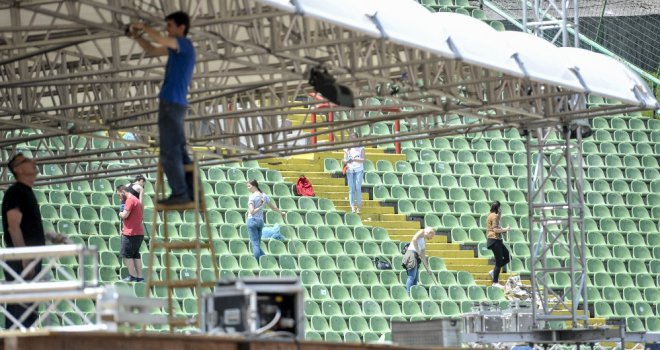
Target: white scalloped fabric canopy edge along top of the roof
{"type": "Point", "coordinates": [456, 36]}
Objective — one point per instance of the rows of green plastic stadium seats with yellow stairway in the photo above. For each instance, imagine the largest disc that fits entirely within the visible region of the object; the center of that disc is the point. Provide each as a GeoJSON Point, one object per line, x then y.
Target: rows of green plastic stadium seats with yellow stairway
{"type": "Point", "coordinates": [446, 182]}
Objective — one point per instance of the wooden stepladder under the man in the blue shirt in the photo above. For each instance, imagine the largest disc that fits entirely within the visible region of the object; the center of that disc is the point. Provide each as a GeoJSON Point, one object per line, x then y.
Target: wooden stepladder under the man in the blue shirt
{"type": "Point", "coordinates": [163, 241]}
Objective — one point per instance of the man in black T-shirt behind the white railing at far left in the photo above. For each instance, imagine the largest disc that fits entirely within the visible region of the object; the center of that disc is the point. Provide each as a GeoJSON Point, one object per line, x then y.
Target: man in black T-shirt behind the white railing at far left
{"type": "Point", "coordinates": [21, 224]}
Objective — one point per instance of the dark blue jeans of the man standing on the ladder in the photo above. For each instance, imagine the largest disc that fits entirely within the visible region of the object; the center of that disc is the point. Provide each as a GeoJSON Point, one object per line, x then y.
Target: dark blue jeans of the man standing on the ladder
{"type": "Point", "coordinates": [173, 154]}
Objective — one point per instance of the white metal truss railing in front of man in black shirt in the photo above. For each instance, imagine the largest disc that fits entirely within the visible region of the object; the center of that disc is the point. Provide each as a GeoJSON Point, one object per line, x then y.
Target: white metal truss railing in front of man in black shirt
{"type": "Point", "coordinates": [43, 295]}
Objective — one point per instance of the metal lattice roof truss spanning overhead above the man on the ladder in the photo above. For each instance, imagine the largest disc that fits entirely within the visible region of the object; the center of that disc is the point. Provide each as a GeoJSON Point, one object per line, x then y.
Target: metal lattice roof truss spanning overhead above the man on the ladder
{"type": "Point", "coordinates": [67, 70]}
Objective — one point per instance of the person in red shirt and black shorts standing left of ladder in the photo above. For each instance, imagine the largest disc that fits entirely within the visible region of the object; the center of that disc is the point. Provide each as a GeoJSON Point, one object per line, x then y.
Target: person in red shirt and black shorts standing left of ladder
{"type": "Point", "coordinates": [132, 235]}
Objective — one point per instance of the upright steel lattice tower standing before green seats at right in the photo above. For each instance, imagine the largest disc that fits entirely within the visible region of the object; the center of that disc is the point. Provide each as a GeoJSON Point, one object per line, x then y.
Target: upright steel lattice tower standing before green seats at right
{"type": "Point", "coordinates": [556, 225]}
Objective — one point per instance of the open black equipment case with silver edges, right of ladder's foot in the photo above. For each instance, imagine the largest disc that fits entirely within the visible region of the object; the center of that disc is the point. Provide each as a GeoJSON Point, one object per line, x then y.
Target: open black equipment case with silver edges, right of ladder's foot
{"type": "Point", "coordinates": [255, 306]}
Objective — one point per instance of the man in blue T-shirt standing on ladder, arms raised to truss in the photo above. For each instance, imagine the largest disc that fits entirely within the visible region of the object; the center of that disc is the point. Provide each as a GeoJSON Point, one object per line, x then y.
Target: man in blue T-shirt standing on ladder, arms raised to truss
{"type": "Point", "coordinates": [173, 99]}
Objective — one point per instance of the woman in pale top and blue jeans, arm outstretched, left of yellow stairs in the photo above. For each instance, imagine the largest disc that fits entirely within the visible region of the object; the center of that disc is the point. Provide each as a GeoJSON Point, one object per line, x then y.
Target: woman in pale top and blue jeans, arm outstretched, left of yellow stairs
{"type": "Point", "coordinates": [255, 215]}
